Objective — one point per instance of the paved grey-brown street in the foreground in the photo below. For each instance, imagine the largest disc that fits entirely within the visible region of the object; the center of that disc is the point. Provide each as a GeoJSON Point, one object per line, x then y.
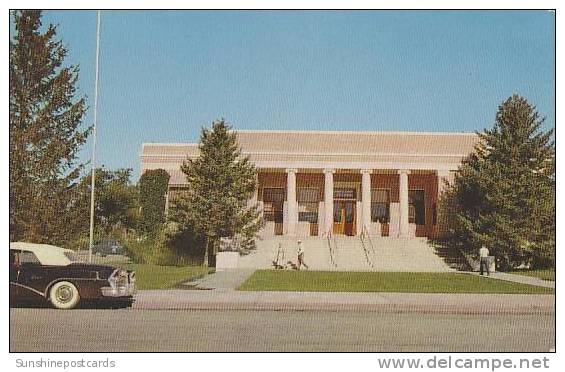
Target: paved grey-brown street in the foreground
{"type": "Point", "coordinates": [249, 330]}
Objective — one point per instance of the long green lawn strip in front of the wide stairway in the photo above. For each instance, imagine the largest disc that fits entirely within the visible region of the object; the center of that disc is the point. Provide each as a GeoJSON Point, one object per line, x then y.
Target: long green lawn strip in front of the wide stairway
{"type": "Point", "coordinates": [322, 281]}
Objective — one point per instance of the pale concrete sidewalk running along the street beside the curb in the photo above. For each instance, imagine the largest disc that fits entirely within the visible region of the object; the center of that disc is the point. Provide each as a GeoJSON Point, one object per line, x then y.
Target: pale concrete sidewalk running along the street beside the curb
{"type": "Point", "coordinates": [438, 303]}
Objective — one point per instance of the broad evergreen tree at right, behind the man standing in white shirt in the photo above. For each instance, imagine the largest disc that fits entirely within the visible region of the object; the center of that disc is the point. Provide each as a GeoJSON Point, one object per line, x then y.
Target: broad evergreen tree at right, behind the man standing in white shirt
{"type": "Point", "coordinates": [504, 193]}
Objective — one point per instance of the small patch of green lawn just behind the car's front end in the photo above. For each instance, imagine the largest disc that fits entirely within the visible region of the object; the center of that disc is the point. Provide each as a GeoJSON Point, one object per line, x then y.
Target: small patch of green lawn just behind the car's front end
{"type": "Point", "coordinates": [162, 277]}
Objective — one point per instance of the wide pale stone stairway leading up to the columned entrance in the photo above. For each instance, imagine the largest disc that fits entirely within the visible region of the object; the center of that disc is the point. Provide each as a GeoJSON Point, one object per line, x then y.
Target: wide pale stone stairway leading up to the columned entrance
{"type": "Point", "coordinates": [390, 254]}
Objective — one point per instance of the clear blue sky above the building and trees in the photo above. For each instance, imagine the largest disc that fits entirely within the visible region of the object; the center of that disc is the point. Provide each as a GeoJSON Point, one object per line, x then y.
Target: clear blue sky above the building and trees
{"type": "Point", "coordinates": [165, 74]}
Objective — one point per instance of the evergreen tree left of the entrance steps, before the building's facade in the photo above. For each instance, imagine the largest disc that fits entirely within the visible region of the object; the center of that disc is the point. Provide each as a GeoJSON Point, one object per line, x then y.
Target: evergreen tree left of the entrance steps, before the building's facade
{"type": "Point", "coordinates": [220, 183]}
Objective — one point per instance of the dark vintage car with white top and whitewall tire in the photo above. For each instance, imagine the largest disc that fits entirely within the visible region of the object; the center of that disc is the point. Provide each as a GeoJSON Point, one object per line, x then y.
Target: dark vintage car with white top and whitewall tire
{"type": "Point", "coordinates": [46, 272]}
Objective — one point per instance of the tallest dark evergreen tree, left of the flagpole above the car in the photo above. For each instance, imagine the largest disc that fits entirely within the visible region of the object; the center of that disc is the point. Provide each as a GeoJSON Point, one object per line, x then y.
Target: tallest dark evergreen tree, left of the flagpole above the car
{"type": "Point", "coordinates": [45, 114]}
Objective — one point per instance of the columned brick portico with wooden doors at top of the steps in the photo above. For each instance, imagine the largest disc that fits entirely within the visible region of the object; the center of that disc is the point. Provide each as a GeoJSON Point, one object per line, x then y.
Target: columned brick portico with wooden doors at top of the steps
{"type": "Point", "coordinates": [379, 202]}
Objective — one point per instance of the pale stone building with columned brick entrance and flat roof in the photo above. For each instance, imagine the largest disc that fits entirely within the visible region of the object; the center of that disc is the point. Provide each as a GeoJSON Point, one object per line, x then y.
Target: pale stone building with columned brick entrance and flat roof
{"type": "Point", "coordinates": [348, 183]}
